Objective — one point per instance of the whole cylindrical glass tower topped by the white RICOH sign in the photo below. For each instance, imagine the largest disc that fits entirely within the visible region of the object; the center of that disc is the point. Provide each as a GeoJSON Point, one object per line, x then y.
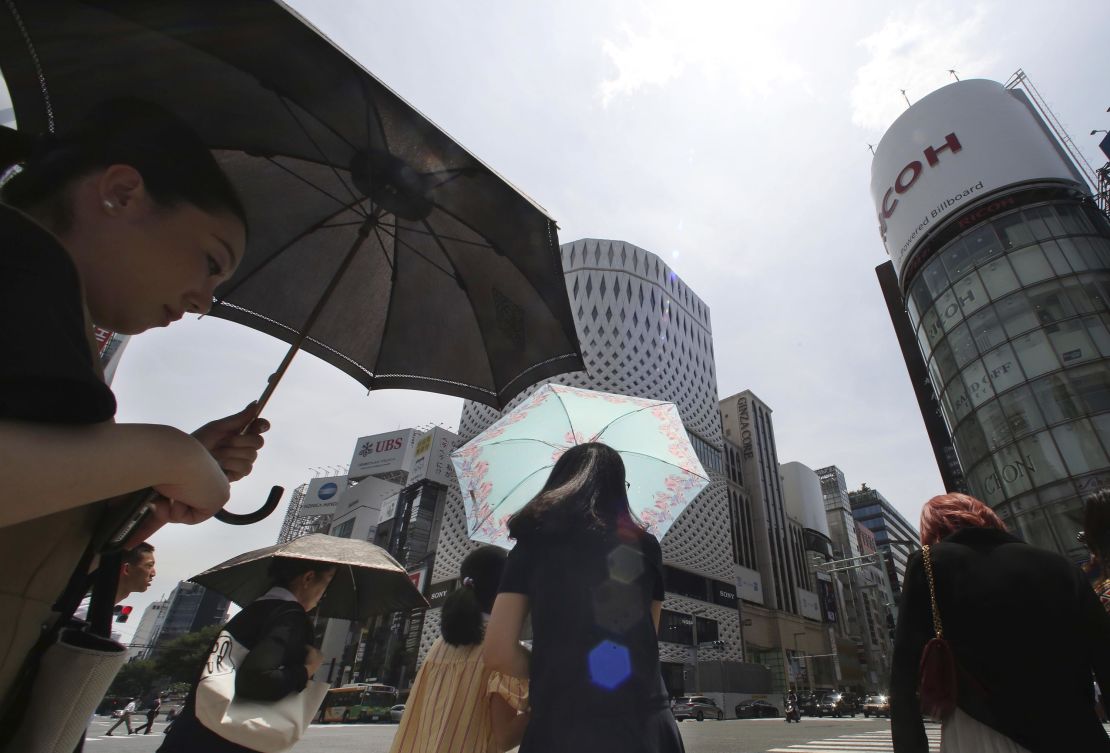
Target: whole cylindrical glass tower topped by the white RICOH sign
{"type": "Point", "coordinates": [1004, 265]}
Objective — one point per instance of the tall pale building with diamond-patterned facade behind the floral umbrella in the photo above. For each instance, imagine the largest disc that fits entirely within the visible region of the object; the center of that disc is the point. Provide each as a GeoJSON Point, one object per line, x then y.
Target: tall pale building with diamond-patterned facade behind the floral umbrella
{"type": "Point", "coordinates": [643, 333]}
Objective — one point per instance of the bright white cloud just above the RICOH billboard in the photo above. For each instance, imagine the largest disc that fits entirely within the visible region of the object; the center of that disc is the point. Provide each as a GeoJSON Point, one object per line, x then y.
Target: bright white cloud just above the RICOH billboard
{"type": "Point", "coordinates": [914, 51]}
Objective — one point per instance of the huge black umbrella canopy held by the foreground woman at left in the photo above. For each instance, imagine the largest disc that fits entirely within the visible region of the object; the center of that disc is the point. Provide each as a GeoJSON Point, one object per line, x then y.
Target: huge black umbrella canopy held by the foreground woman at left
{"type": "Point", "coordinates": [439, 275]}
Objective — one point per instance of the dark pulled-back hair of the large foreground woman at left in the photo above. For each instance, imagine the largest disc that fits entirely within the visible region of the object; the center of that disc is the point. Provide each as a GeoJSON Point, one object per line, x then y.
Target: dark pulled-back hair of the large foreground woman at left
{"type": "Point", "coordinates": [176, 166]}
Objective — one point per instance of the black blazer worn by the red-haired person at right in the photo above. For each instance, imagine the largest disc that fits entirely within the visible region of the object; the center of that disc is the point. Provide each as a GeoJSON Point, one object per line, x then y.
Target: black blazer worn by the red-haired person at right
{"type": "Point", "coordinates": [1027, 631]}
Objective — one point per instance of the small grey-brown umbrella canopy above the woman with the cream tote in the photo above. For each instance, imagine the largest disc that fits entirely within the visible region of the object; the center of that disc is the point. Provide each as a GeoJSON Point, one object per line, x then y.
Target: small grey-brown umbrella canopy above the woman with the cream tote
{"type": "Point", "coordinates": [368, 580]}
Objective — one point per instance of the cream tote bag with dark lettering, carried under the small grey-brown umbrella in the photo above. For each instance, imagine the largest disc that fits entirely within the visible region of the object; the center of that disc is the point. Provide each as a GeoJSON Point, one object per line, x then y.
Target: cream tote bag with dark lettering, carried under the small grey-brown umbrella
{"type": "Point", "coordinates": [269, 727]}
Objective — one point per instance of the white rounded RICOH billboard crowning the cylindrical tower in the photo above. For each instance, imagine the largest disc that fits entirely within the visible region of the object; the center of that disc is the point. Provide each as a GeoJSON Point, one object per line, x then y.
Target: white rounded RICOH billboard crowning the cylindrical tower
{"type": "Point", "coordinates": [958, 145]}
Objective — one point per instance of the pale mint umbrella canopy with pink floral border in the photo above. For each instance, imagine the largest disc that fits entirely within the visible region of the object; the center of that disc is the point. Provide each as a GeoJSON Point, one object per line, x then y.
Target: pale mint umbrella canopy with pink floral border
{"type": "Point", "coordinates": [508, 465]}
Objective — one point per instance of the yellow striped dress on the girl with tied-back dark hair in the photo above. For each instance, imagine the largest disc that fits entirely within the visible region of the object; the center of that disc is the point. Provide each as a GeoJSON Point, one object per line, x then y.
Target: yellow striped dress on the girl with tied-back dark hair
{"type": "Point", "coordinates": [449, 708]}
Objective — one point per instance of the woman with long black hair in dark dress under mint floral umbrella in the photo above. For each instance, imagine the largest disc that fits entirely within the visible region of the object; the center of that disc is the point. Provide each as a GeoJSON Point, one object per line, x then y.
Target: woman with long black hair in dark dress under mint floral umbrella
{"type": "Point", "coordinates": [592, 579]}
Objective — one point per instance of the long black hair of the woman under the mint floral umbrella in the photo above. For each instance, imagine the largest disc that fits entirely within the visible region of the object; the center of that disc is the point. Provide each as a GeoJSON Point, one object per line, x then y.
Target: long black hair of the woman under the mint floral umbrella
{"type": "Point", "coordinates": [586, 491]}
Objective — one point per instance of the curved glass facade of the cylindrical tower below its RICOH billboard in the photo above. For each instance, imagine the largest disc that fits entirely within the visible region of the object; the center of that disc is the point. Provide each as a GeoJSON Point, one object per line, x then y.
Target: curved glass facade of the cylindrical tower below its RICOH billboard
{"type": "Point", "coordinates": [1012, 316]}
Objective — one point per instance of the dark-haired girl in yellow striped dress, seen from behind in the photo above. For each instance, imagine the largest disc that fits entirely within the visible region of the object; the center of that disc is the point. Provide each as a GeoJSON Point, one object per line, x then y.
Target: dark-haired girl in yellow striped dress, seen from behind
{"type": "Point", "coordinates": [458, 705]}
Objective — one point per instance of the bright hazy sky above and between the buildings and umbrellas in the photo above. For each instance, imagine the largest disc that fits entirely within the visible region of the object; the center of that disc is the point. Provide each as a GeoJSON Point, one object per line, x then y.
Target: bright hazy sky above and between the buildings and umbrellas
{"type": "Point", "coordinates": [729, 138]}
